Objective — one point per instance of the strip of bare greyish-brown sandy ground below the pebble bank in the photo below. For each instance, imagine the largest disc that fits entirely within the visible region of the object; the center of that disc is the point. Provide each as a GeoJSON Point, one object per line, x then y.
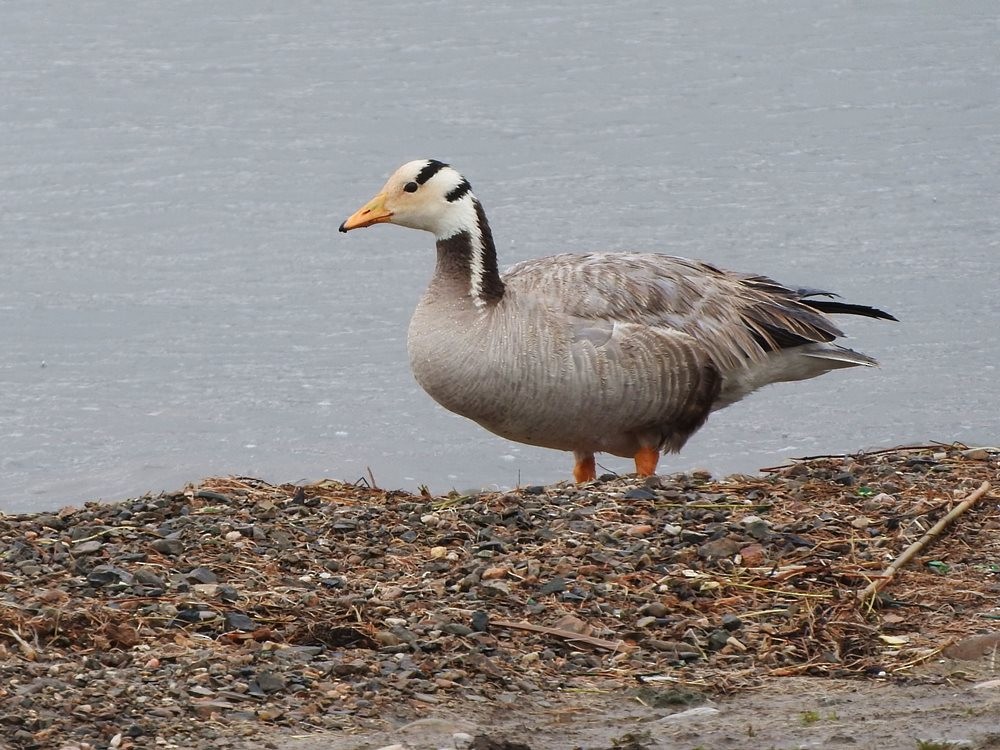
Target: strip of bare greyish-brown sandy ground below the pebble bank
{"type": "Point", "coordinates": [960, 708]}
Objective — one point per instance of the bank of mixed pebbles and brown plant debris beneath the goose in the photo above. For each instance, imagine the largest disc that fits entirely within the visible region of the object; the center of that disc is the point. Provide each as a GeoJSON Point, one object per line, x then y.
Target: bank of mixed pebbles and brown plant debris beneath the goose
{"type": "Point", "coordinates": [236, 612]}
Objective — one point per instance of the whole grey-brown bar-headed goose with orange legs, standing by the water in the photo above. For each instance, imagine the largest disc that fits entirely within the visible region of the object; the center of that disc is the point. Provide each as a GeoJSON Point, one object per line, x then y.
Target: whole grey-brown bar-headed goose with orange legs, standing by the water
{"type": "Point", "coordinates": [619, 352]}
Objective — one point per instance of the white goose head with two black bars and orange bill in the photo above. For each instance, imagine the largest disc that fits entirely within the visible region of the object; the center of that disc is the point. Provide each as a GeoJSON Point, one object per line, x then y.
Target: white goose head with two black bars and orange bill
{"type": "Point", "coordinates": [423, 194]}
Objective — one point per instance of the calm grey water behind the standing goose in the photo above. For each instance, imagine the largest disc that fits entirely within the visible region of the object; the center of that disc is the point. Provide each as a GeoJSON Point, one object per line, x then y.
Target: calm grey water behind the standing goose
{"type": "Point", "coordinates": [175, 301]}
